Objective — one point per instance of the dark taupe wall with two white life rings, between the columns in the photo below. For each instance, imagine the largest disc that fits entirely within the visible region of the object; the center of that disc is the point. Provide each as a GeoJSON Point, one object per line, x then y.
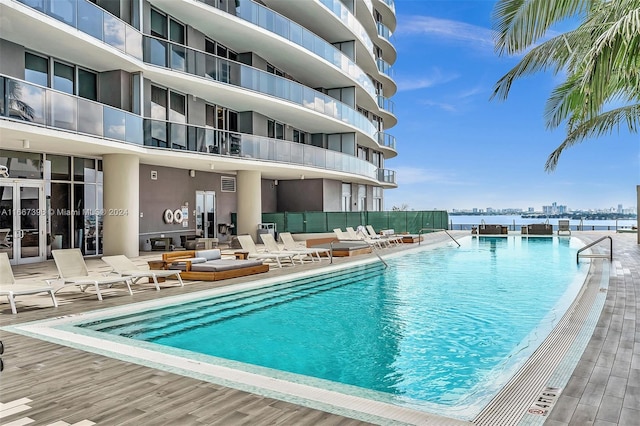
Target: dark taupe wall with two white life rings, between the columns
{"type": "Point", "coordinates": [172, 189]}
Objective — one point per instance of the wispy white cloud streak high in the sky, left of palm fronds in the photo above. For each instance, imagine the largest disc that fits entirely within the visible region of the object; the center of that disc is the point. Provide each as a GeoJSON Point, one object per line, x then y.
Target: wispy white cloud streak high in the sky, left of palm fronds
{"type": "Point", "coordinates": [449, 30]}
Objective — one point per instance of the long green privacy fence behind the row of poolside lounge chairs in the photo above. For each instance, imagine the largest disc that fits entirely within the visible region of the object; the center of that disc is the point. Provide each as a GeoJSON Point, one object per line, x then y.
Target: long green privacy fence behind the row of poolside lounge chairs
{"type": "Point", "coordinates": [321, 222]}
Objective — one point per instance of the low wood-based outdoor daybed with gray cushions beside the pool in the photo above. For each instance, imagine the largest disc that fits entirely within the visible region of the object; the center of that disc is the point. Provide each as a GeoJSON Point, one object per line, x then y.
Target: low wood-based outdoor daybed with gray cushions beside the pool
{"type": "Point", "coordinates": [208, 265]}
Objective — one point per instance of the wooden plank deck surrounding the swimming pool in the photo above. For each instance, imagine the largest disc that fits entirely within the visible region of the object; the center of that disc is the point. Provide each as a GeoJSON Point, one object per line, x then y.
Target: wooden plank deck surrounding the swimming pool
{"type": "Point", "coordinates": [50, 383]}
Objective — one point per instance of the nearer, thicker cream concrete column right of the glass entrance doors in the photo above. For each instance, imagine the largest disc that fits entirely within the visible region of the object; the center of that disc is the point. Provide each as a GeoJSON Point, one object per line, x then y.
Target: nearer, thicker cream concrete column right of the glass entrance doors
{"type": "Point", "coordinates": [121, 204]}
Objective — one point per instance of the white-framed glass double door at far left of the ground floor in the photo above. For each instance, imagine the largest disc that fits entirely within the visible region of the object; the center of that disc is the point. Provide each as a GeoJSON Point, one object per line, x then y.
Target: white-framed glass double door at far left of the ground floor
{"type": "Point", "coordinates": [22, 221]}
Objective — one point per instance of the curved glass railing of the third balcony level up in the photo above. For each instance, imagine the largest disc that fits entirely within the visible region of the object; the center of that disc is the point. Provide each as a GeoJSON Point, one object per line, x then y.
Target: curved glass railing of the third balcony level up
{"type": "Point", "coordinates": [271, 21]}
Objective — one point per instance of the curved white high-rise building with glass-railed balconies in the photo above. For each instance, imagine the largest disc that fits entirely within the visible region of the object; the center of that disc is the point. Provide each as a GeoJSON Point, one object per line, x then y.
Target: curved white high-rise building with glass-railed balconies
{"type": "Point", "coordinates": [131, 119]}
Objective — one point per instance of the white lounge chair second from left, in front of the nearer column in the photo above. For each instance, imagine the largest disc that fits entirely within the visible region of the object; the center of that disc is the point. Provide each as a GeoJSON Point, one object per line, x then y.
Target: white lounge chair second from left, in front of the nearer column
{"type": "Point", "coordinates": [72, 270]}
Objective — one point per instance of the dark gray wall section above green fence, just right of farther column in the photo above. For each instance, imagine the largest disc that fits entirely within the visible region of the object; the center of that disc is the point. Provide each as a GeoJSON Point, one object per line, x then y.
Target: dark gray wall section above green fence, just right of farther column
{"type": "Point", "coordinates": [300, 195]}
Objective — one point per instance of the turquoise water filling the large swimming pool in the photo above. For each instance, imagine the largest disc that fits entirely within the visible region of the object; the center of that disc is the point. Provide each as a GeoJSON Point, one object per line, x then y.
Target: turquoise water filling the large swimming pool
{"type": "Point", "coordinates": [445, 327]}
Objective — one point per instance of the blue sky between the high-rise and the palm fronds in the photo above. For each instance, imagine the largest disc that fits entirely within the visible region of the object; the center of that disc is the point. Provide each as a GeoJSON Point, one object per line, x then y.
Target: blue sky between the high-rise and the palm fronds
{"type": "Point", "coordinates": [457, 149]}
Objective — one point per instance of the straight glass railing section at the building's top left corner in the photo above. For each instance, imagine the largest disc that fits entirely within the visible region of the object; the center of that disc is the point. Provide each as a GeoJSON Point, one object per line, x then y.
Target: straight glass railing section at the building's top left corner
{"type": "Point", "coordinates": [91, 19]}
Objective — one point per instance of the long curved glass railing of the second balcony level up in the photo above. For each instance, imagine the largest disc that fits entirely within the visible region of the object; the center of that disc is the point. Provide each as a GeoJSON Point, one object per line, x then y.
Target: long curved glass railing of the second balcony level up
{"type": "Point", "coordinates": [180, 58]}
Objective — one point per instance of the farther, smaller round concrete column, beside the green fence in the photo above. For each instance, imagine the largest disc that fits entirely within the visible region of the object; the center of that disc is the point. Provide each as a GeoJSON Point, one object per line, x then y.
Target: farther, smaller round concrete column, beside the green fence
{"type": "Point", "coordinates": [249, 203]}
